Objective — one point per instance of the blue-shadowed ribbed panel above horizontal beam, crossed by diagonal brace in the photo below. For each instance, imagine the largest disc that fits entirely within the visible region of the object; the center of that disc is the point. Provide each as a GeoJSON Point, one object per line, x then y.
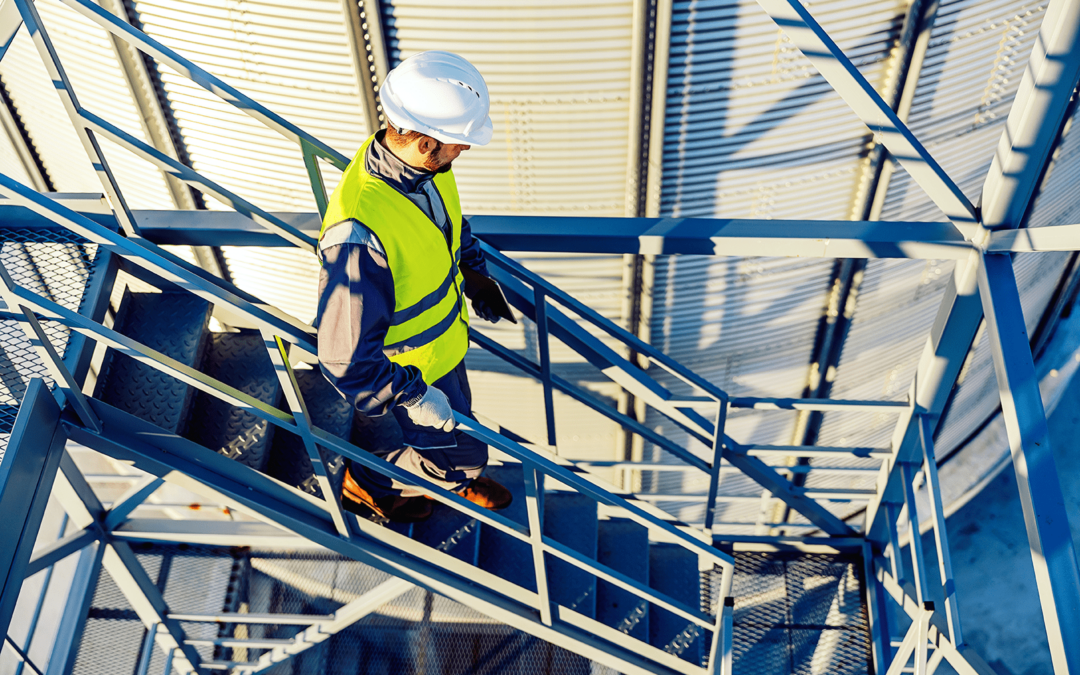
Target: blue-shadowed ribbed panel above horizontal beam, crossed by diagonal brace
{"type": "Point", "coordinates": [752, 130]}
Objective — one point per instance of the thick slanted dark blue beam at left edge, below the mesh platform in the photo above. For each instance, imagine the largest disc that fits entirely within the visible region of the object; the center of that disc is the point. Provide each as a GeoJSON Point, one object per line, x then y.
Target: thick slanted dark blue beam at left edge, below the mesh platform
{"type": "Point", "coordinates": [26, 481]}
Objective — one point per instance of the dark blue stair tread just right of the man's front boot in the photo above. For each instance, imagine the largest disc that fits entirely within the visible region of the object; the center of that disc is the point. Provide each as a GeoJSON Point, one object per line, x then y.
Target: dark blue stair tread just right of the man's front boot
{"type": "Point", "coordinates": [501, 553]}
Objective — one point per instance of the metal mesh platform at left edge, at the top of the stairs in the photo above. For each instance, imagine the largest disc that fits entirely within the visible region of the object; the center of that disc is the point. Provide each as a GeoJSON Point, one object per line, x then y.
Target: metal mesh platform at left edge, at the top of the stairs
{"type": "Point", "coordinates": [57, 265]}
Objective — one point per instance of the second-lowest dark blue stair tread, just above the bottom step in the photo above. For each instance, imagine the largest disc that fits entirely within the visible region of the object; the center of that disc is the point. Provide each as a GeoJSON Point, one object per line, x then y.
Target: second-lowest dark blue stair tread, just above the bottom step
{"type": "Point", "coordinates": [624, 546]}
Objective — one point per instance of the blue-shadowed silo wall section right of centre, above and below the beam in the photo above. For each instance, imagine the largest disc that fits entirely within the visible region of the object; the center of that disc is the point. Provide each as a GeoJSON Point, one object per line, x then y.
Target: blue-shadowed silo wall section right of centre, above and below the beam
{"type": "Point", "coordinates": [753, 131]}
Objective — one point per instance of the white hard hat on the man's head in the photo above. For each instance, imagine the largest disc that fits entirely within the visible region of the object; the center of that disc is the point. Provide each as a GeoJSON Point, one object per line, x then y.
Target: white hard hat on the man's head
{"type": "Point", "coordinates": [439, 94]}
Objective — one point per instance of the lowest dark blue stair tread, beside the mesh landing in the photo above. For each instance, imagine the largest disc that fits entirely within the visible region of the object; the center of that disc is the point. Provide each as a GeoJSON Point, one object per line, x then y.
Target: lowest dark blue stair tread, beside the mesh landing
{"type": "Point", "coordinates": [673, 571]}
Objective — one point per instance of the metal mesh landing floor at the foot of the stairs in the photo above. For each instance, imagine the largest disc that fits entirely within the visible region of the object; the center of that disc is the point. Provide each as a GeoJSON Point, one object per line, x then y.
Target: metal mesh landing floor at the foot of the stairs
{"type": "Point", "coordinates": [798, 614]}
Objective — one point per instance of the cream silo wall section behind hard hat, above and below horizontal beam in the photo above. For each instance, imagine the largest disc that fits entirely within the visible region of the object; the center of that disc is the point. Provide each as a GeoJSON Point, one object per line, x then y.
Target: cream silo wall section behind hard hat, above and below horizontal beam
{"type": "Point", "coordinates": [560, 79]}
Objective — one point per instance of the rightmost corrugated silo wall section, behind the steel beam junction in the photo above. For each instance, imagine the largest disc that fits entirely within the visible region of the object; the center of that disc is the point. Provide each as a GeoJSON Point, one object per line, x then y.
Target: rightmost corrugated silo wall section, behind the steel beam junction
{"type": "Point", "coordinates": [977, 57]}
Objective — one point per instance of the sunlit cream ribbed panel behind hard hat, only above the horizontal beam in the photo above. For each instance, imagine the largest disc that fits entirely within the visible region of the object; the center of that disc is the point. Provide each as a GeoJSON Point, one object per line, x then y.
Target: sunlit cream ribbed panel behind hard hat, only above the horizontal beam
{"type": "Point", "coordinates": [560, 79]}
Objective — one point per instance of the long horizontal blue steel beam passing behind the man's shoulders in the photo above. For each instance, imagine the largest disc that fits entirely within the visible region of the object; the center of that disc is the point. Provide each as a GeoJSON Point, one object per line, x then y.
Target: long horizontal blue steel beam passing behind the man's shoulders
{"type": "Point", "coordinates": [712, 237]}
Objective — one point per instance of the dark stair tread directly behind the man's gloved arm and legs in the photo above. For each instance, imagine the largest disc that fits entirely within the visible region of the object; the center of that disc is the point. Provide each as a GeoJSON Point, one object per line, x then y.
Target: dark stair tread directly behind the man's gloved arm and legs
{"type": "Point", "coordinates": [289, 460]}
